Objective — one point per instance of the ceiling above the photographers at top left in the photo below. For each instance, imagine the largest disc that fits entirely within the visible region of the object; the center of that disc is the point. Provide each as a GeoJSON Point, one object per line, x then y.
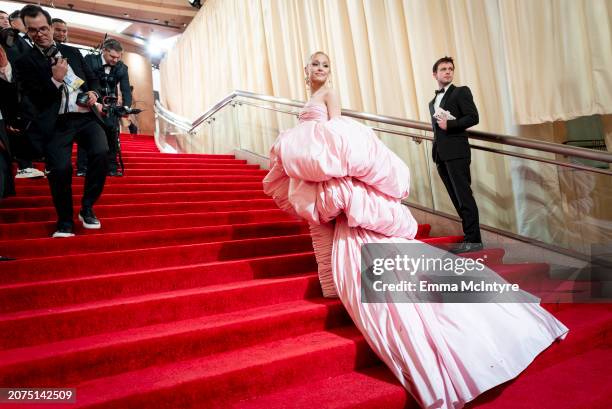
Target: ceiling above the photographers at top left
{"type": "Point", "coordinates": [150, 20]}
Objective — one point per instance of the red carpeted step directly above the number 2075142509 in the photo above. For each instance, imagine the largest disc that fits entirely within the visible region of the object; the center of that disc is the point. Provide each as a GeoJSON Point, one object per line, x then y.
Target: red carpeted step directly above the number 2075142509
{"type": "Point", "coordinates": [76, 360]}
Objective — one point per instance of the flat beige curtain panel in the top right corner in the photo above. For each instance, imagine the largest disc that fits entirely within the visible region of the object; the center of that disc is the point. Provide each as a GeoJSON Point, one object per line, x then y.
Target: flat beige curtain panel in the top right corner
{"type": "Point", "coordinates": [559, 58]}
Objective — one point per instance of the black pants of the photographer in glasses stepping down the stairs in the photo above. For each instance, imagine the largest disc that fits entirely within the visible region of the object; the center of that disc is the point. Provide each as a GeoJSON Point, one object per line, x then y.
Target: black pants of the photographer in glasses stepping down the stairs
{"type": "Point", "coordinates": [58, 151]}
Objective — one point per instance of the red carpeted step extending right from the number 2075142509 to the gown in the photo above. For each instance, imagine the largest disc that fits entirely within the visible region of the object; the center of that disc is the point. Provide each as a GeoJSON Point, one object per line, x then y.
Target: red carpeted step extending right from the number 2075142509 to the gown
{"type": "Point", "coordinates": [212, 381]}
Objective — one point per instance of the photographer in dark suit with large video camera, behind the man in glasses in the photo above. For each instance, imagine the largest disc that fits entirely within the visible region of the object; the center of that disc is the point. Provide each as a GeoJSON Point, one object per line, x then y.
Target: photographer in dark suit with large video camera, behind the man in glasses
{"type": "Point", "coordinates": [112, 73]}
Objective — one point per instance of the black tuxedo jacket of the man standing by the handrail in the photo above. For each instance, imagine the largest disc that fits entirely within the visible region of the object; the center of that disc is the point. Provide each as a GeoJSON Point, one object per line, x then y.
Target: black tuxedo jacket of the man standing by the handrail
{"type": "Point", "coordinates": [452, 143]}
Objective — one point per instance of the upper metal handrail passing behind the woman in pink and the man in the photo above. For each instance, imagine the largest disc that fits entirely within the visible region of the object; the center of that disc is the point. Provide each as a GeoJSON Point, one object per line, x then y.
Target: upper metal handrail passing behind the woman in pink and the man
{"type": "Point", "coordinates": [517, 141]}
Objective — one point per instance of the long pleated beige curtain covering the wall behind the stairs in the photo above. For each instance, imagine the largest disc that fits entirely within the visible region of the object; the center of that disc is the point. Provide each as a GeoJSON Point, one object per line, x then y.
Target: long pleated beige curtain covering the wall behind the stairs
{"type": "Point", "coordinates": [525, 62]}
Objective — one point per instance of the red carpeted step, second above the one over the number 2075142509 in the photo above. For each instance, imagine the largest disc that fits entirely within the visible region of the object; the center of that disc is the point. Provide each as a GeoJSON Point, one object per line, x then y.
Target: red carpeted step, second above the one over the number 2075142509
{"type": "Point", "coordinates": [64, 292]}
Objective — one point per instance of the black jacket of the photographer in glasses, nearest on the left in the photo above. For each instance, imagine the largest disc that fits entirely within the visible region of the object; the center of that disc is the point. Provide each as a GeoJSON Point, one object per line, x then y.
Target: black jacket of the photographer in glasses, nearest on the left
{"type": "Point", "coordinates": [34, 76]}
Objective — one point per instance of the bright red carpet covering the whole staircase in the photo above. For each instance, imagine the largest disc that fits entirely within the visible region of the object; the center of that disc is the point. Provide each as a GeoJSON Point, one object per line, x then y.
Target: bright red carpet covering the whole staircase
{"type": "Point", "coordinates": [198, 292]}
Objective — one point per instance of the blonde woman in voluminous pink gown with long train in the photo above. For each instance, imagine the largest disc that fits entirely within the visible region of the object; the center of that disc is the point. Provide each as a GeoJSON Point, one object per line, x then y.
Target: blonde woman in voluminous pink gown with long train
{"type": "Point", "coordinates": [336, 174]}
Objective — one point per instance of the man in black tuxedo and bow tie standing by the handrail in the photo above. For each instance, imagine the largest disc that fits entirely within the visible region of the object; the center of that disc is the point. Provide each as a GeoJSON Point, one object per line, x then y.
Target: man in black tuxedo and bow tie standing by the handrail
{"type": "Point", "coordinates": [451, 149]}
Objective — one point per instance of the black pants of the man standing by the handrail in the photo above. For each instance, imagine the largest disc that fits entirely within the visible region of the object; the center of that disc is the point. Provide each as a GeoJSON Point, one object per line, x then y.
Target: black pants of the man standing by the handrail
{"type": "Point", "coordinates": [456, 177]}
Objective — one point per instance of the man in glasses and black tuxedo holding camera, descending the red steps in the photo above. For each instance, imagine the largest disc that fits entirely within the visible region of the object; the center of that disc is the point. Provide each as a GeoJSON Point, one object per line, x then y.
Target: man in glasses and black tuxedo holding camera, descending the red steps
{"type": "Point", "coordinates": [62, 90]}
